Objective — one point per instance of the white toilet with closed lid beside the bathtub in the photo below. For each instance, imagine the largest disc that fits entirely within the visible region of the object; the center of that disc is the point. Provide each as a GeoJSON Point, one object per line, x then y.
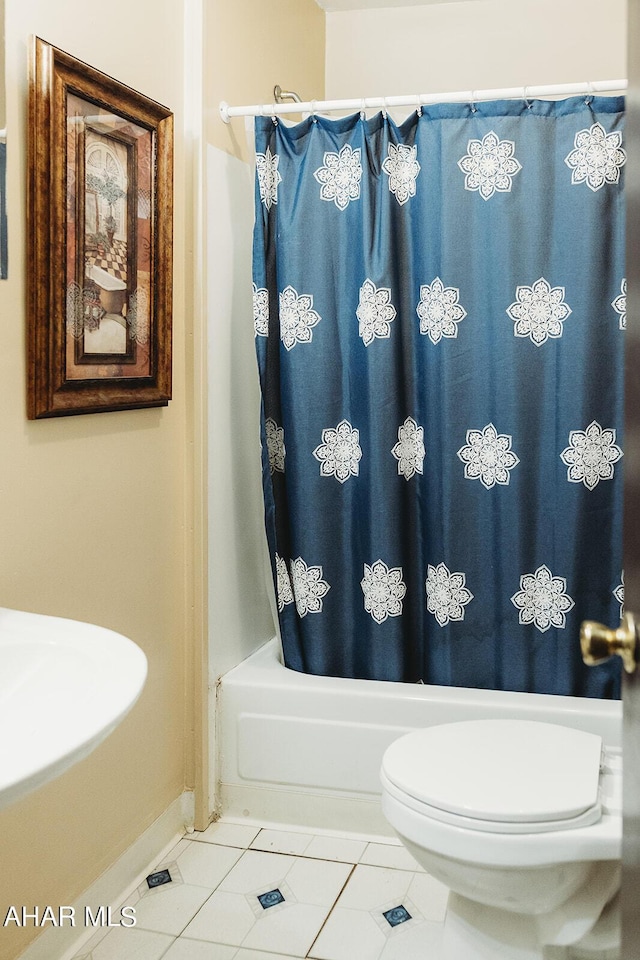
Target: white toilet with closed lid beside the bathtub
{"type": "Point", "coordinates": [522, 821]}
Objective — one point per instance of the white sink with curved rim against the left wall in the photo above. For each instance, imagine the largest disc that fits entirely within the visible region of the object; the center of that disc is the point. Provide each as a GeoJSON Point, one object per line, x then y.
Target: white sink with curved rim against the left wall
{"type": "Point", "coordinates": [64, 686]}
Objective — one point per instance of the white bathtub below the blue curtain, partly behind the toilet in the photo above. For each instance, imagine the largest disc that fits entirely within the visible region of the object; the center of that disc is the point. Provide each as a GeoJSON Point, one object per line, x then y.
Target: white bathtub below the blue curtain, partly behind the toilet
{"type": "Point", "coordinates": [306, 750]}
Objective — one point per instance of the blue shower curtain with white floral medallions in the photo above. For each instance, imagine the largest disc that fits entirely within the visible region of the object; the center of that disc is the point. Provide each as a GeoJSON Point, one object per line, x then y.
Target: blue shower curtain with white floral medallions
{"type": "Point", "coordinates": [439, 311]}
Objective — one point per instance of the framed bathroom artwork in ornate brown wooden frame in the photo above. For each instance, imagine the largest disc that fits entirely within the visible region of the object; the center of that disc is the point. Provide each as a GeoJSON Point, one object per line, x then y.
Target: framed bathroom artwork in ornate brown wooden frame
{"type": "Point", "coordinates": [100, 213]}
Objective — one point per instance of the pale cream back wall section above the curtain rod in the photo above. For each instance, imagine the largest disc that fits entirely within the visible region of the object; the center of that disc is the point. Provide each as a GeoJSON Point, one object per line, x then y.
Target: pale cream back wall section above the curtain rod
{"type": "Point", "coordinates": [471, 45]}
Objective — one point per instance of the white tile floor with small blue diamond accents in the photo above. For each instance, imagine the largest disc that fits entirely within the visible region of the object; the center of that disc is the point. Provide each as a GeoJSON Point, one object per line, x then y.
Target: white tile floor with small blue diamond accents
{"type": "Point", "coordinates": [238, 892]}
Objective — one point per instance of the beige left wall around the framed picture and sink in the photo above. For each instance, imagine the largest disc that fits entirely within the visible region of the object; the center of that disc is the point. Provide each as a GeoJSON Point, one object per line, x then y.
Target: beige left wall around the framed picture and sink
{"type": "Point", "coordinates": [92, 508]}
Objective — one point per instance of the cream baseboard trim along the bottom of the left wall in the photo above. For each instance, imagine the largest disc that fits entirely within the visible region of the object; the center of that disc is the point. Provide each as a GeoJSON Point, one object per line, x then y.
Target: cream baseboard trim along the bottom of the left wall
{"type": "Point", "coordinates": [117, 882]}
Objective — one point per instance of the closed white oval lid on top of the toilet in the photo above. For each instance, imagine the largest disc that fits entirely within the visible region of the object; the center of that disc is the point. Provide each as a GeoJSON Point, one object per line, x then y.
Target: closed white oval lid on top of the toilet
{"type": "Point", "coordinates": [499, 770]}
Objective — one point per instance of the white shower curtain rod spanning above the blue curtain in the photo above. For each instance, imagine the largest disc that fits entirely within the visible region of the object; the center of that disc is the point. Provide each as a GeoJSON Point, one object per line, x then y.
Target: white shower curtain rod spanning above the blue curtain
{"type": "Point", "coordinates": [422, 99]}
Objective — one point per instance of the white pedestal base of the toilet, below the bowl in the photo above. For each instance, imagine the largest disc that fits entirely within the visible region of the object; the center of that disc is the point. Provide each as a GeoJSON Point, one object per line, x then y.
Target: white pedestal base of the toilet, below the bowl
{"type": "Point", "coordinates": [475, 931]}
